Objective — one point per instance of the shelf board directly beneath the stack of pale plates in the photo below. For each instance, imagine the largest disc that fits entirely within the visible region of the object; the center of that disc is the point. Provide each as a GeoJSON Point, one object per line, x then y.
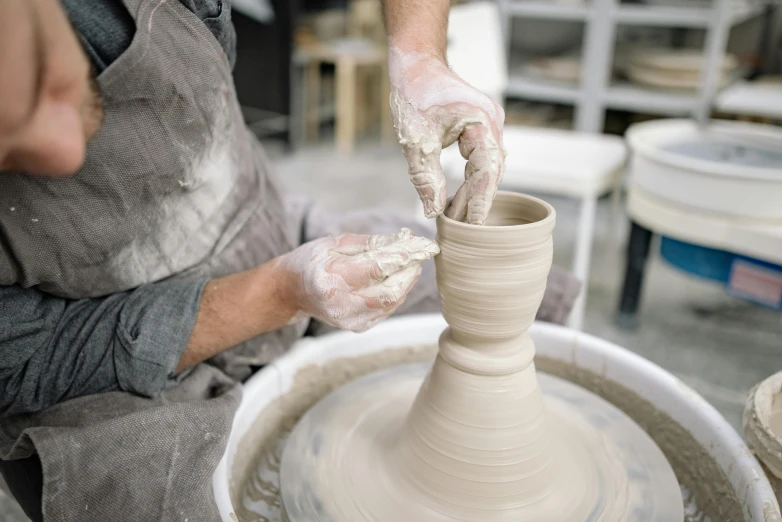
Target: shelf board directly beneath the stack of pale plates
{"type": "Point", "coordinates": [628, 96]}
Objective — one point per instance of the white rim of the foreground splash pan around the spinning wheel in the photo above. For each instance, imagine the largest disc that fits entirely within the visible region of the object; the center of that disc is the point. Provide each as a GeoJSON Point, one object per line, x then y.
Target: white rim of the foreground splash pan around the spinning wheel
{"type": "Point", "coordinates": [635, 373]}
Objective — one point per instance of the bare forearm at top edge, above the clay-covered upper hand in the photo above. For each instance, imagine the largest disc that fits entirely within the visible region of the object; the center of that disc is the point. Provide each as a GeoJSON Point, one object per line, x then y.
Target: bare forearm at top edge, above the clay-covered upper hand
{"type": "Point", "coordinates": [417, 25]}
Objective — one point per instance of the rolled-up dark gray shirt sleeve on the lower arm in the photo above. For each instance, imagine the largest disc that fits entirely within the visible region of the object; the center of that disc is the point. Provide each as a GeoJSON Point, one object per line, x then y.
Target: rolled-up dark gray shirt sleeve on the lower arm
{"type": "Point", "coordinates": [54, 349]}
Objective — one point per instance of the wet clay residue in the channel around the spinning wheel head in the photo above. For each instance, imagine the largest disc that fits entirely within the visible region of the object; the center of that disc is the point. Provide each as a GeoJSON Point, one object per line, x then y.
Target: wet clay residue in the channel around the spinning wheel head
{"type": "Point", "coordinates": [710, 496]}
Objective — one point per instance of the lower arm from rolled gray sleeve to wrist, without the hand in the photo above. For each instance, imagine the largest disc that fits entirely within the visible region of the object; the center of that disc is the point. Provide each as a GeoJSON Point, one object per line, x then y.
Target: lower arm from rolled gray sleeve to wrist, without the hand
{"type": "Point", "coordinates": [54, 349]}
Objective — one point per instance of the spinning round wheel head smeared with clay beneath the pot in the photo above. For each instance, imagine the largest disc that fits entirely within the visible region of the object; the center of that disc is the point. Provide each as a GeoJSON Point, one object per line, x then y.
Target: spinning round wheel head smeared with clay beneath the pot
{"type": "Point", "coordinates": [339, 464]}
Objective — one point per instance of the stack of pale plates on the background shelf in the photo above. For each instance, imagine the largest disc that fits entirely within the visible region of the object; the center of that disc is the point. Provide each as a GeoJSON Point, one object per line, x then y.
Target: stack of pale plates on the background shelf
{"type": "Point", "coordinates": [674, 69]}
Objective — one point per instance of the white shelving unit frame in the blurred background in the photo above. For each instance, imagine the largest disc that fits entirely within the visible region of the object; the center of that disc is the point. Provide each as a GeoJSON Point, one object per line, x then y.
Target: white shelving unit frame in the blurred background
{"type": "Point", "coordinates": [595, 93]}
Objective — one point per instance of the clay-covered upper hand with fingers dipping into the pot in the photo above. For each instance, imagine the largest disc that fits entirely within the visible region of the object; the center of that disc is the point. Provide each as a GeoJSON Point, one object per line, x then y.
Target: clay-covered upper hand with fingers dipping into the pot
{"type": "Point", "coordinates": [432, 108]}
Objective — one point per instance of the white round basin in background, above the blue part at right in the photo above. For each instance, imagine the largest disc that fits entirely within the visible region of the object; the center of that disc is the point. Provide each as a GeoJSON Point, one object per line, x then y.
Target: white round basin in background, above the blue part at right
{"type": "Point", "coordinates": [709, 184]}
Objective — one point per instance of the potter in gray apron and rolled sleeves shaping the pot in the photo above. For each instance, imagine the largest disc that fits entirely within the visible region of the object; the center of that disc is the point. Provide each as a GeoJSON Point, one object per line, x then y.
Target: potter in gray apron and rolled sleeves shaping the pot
{"type": "Point", "coordinates": [151, 254]}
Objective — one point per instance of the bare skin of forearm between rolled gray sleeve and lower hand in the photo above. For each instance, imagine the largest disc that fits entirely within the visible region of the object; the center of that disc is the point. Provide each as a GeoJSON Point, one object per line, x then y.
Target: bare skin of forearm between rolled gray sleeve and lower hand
{"type": "Point", "coordinates": [236, 308]}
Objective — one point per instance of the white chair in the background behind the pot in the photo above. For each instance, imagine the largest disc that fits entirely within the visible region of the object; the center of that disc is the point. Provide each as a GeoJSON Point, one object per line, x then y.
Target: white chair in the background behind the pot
{"type": "Point", "coordinates": [552, 161]}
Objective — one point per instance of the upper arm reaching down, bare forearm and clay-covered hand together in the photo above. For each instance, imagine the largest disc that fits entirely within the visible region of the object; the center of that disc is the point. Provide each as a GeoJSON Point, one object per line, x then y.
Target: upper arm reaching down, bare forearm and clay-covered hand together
{"type": "Point", "coordinates": [432, 107]}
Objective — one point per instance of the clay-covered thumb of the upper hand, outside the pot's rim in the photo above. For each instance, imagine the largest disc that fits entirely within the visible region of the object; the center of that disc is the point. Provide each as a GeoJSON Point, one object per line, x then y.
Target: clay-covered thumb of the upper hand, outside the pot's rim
{"type": "Point", "coordinates": [426, 173]}
